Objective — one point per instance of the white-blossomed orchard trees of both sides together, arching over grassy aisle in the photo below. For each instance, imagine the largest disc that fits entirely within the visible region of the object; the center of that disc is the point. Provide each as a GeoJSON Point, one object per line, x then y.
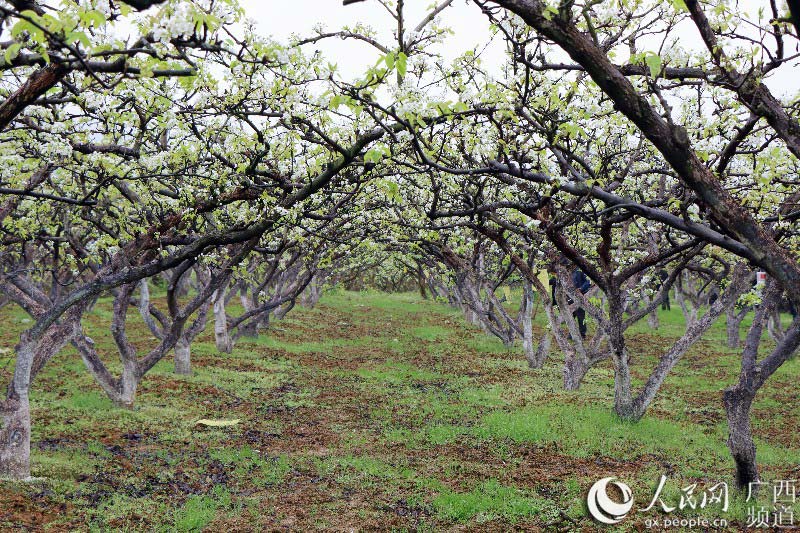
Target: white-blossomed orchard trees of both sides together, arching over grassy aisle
{"type": "Point", "coordinates": [229, 166]}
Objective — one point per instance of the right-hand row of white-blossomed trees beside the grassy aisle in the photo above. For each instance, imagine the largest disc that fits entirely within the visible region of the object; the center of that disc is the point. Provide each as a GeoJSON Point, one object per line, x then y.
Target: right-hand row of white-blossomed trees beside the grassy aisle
{"type": "Point", "coordinates": [631, 156]}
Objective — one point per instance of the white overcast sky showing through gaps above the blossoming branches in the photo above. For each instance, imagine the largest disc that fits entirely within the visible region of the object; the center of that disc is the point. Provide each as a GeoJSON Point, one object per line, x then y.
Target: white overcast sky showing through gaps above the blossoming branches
{"type": "Point", "coordinates": [282, 19]}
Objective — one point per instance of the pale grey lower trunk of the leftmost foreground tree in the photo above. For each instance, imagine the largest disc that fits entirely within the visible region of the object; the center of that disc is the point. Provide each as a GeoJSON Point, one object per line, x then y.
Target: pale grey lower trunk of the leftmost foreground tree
{"type": "Point", "coordinates": [15, 437]}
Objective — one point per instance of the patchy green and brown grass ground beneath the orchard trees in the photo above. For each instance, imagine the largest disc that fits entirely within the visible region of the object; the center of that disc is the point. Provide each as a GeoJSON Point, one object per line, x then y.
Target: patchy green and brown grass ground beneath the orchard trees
{"type": "Point", "coordinates": [375, 411]}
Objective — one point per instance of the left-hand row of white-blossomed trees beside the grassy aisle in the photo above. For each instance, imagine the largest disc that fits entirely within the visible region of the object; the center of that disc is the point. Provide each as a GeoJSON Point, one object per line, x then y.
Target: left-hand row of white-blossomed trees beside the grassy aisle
{"type": "Point", "coordinates": [195, 151]}
